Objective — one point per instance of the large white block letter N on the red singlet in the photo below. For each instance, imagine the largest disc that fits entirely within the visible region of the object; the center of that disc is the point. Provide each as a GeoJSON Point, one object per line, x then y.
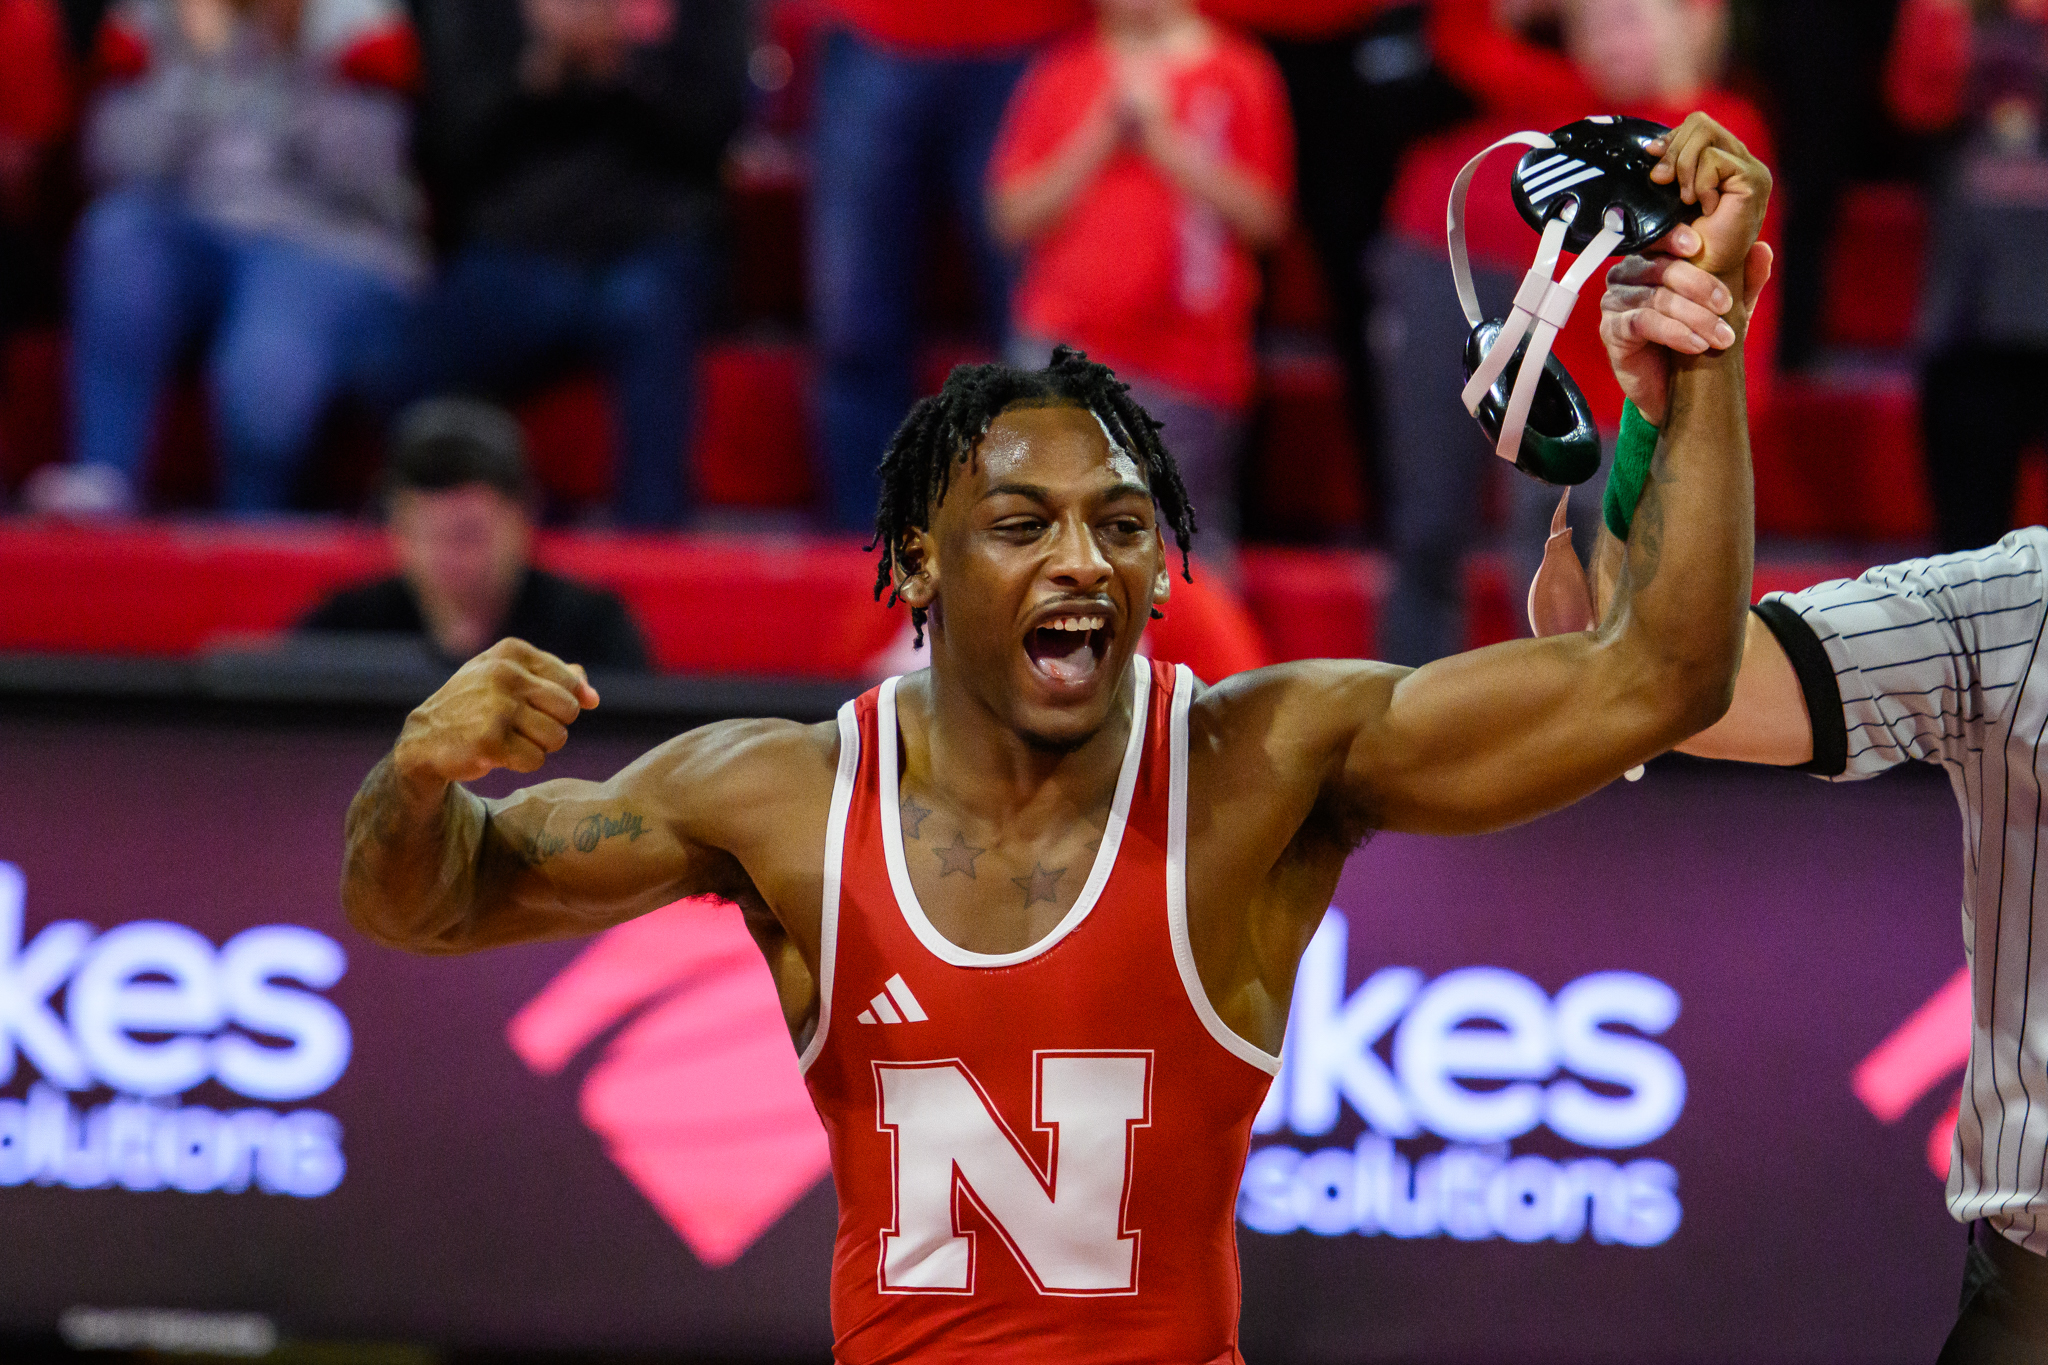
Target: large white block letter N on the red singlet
{"type": "Point", "coordinates": [1064, 1225]}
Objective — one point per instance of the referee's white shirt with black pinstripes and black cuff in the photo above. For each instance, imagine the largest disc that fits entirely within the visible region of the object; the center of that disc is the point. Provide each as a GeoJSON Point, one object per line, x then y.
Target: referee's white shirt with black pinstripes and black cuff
{"type": "Point", "coordinates": [1940, 660]}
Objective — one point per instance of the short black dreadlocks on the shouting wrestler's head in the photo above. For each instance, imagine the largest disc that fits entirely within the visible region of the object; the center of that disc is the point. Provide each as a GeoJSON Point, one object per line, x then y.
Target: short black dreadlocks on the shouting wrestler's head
{"type": "Point", "coordinates": [945, 429]}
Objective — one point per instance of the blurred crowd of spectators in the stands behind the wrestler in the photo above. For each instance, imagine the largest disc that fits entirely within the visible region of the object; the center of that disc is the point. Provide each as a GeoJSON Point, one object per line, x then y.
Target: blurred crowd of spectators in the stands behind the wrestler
{"type": "Point", "coordinates": [706, 255]}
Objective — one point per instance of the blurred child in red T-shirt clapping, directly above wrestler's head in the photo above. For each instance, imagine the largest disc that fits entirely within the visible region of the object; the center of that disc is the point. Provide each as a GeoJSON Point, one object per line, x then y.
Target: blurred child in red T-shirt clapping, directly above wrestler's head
{"type": "Point", "coordinates": [1142, 167]}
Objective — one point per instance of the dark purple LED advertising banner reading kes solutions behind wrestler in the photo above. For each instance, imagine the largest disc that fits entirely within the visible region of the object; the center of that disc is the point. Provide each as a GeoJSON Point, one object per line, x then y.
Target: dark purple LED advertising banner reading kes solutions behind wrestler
{"type": "Point", "coordinates": [1666, 1077]}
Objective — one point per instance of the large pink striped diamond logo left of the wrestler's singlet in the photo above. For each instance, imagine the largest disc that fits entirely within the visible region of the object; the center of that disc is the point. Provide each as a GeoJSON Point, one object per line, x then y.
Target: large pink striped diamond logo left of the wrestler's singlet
{"type": "Point", "coordinates": [697, 1096]}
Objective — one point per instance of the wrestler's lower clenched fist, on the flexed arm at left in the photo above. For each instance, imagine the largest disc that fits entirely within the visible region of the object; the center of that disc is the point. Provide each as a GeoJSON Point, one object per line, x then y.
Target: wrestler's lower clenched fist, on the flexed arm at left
{"type": "Point", "coordinates": [509, 707]}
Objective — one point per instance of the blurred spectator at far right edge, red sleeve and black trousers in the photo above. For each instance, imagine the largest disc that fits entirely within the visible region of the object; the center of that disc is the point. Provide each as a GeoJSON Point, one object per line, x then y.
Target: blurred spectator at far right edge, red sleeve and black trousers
{"type": "Point", "coordinates": [1983, 77]}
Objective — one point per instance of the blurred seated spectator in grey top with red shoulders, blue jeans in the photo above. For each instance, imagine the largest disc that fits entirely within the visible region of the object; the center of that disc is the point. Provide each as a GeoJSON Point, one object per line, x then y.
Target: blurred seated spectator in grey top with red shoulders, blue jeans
{"type": "Point", "coordinates": [255, 189]}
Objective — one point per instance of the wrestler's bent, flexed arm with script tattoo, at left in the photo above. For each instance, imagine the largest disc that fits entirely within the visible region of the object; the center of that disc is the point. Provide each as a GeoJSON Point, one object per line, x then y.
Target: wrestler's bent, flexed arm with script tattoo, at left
{"type": "Point", "coordinates": [437, 869]}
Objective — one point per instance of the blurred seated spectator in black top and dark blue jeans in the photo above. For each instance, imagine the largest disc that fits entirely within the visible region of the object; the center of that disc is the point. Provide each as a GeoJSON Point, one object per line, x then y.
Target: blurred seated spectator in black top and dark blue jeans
{"type": "Point", "coordinates": [581, 144]}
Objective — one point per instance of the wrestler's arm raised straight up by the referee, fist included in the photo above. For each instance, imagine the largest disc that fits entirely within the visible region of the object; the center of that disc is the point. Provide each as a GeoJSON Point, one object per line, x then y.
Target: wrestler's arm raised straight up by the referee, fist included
{"type": "Point", "coordinates": [1506, 734]}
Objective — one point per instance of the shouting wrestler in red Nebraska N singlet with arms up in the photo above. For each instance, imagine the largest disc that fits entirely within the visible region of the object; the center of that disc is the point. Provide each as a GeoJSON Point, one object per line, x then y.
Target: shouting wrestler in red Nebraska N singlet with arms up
{"type": "Point", "coordinates": [1035, 912]}
